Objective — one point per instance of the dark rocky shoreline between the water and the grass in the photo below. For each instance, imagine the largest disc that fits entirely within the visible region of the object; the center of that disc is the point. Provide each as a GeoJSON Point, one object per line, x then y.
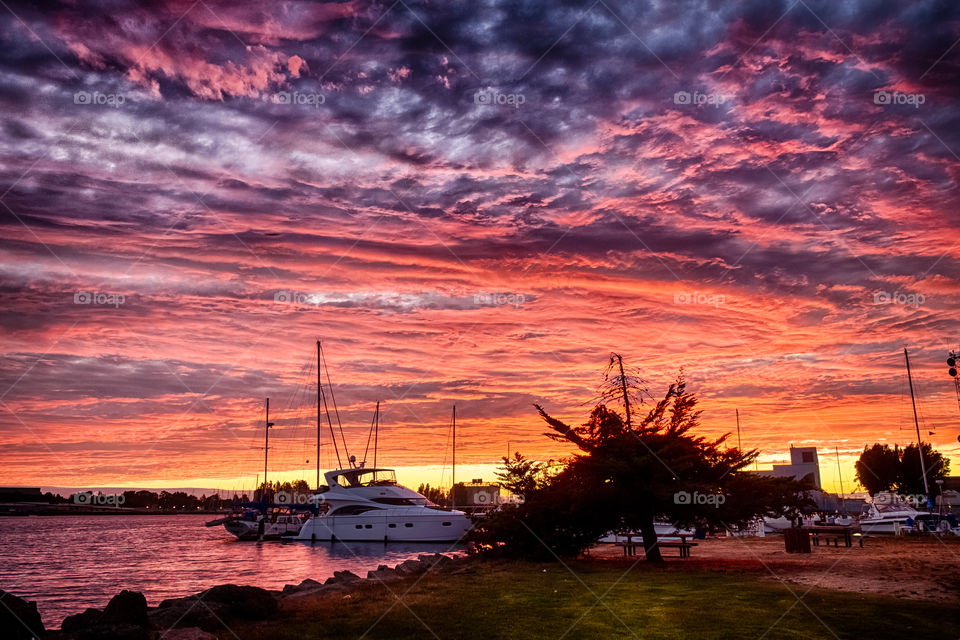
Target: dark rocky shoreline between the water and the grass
{"type": "Point", "coordinates": [198, 616]}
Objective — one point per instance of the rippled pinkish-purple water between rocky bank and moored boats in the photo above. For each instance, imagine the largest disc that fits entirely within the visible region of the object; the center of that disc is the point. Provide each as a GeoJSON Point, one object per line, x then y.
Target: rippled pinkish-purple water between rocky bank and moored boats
{"type": "Point", "coordinates": [68, 563]}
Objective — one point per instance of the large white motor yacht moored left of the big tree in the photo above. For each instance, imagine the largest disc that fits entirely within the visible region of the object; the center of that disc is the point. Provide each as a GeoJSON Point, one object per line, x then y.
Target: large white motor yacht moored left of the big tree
{"type": "Point", "coordinates": [369, 505]}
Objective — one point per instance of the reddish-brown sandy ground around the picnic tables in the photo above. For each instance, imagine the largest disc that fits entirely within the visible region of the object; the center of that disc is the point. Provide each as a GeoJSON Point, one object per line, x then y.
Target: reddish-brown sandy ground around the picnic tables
{"type": "Point", "coordinates": [924, 568]}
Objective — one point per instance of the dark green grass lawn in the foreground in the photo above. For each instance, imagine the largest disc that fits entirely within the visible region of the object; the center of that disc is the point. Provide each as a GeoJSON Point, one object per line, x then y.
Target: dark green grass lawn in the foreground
{"type": "Point", "coordinates": [528, 600]}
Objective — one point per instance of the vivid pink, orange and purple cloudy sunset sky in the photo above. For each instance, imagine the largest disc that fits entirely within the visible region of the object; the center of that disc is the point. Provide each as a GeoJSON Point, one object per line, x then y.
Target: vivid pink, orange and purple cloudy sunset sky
{"type": "Point", "coordinates": [471, 203]}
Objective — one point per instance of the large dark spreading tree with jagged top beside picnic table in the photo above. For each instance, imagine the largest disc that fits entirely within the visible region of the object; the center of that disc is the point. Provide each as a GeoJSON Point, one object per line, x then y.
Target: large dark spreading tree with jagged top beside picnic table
{"type": "Point", "coordinates": [627, 476]}
